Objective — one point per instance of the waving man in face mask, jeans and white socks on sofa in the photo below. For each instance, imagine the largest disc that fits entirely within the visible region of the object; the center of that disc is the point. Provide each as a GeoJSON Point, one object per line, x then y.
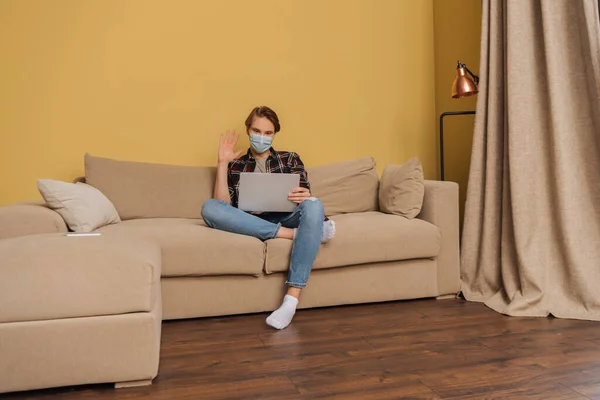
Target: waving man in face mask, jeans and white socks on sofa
{"type": "Point", "coordinates": [306, 225]}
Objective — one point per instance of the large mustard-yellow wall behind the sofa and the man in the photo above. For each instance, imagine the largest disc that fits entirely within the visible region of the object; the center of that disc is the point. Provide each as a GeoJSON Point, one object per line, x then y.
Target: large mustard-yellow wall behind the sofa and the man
{"type": "Point", "coordinates": [157, 81]}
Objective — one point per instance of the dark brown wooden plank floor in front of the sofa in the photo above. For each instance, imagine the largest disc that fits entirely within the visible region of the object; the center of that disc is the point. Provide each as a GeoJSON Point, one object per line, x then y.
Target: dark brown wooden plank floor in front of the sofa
{"type": "Point", "coordinates": [425, 349]}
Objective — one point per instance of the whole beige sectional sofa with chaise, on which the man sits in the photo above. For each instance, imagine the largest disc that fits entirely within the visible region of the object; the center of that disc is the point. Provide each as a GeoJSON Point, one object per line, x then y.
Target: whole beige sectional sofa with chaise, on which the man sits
{"type": "Point", "coordinates": [76, 310]}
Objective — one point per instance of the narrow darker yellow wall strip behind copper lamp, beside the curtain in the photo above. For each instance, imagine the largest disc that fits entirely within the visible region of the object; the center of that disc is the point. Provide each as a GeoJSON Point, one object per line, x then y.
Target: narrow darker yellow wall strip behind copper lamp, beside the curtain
{"type": "Point", "coordinates": [457, 30]}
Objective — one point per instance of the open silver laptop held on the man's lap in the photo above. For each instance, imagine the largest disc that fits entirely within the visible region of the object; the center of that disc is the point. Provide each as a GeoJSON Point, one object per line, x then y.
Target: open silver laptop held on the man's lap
{"type": "Point", "coordinates": [266, 192]}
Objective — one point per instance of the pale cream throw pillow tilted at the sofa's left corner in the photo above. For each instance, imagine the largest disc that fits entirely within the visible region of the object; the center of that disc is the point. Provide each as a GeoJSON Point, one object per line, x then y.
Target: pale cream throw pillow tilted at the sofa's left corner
{"type": "Point", "coordinates": [83, 207]}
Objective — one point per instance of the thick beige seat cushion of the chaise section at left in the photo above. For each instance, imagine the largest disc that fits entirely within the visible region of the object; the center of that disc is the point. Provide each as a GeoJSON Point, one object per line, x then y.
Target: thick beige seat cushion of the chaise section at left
{"type": "Point", "coordinates": [53, 276]}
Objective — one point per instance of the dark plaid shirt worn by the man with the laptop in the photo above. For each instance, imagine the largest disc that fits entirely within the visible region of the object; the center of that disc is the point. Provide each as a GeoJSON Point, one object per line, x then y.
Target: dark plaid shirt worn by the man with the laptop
{"type": "Point", "coordinates": [282, 162]}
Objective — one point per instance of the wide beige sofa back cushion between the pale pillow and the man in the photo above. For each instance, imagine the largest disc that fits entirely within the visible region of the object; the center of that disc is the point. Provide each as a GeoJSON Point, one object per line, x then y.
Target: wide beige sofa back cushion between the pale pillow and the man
{"type": "Point", "coordinates": [146, 190]}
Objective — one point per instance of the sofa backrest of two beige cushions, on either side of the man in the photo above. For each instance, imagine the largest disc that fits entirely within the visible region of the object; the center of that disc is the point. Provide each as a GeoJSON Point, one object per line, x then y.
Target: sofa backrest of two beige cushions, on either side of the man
{"type": "Point", "coordinates": [147, 190]}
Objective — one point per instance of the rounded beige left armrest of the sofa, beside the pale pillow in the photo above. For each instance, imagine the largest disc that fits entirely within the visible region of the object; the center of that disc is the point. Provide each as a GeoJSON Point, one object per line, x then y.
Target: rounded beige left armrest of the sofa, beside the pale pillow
{"type": "Point", "coordinates": [31, 218]}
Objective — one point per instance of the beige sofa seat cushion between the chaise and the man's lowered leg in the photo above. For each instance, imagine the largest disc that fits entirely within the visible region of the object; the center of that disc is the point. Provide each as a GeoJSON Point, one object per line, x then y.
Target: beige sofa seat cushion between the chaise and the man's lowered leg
{"type": "Point", "coordinates": [190, 248]}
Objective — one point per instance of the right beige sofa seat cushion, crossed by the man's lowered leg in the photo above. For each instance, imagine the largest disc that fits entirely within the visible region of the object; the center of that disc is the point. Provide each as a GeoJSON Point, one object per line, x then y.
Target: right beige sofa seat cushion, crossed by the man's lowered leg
{"type": "Point", "coordinates": [364, 238]}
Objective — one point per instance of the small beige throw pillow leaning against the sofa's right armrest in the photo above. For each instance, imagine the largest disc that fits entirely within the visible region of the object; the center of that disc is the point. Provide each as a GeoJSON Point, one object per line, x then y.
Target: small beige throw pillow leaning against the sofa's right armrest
{"type": "Point", "coordinates": [402, 189]}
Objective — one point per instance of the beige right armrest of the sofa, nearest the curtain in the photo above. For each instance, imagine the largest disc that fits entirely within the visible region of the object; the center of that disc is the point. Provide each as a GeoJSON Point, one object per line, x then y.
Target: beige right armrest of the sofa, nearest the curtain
{"type": "Point", "coordinates": [440, 207]}
